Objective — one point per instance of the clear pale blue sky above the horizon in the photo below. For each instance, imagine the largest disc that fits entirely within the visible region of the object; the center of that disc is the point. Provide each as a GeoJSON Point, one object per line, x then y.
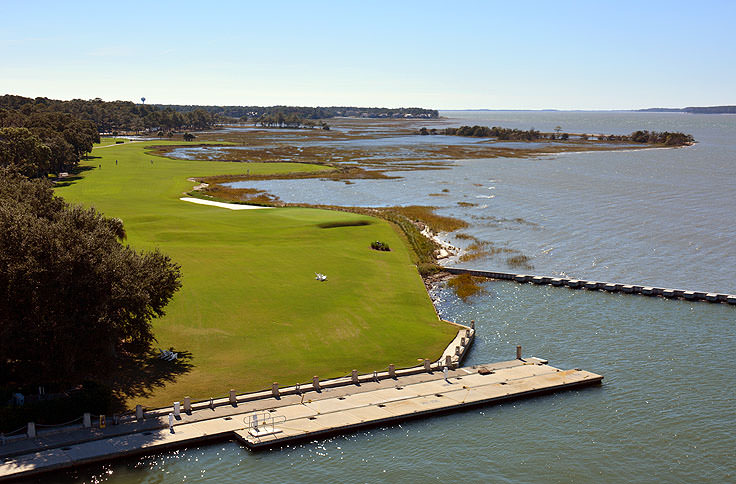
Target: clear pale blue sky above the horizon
{"type": "Point", "coordinates": [497, 55]}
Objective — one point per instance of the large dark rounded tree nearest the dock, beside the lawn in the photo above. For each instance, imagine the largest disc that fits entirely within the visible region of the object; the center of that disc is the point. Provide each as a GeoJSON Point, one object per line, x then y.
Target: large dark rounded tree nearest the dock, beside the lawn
{"type": "Point", "coordinates": [73, 298]}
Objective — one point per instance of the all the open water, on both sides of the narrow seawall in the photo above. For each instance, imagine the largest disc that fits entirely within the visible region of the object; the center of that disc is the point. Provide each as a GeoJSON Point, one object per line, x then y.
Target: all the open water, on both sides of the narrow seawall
{"type": "Point", "coordinates": [665, 411]}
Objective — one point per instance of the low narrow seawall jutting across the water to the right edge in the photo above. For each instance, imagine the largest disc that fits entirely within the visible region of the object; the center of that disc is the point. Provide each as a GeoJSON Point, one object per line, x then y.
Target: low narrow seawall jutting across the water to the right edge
{"type": "Point", "coordinates": [711, 297]}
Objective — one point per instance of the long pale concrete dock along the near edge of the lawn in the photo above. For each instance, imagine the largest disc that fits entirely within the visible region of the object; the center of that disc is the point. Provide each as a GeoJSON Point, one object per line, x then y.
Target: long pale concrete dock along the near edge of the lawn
{"type": "Point", "coordinates": [275, 419]}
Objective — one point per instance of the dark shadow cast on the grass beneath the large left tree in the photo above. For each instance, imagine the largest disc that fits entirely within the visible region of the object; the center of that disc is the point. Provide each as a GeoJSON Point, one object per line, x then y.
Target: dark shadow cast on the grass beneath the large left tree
{"type": "Point", "coordinates": [141, 376]}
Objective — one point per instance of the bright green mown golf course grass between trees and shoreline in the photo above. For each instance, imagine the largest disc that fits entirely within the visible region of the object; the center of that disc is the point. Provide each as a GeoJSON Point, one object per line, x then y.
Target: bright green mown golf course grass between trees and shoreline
{"type": "Point", "coordinates": [250, 310]}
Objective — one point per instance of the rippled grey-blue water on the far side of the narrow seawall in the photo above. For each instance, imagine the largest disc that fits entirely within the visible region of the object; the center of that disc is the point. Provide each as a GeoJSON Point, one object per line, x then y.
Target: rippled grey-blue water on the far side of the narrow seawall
{"type": "Point", "coordinates": [661, 217]}
